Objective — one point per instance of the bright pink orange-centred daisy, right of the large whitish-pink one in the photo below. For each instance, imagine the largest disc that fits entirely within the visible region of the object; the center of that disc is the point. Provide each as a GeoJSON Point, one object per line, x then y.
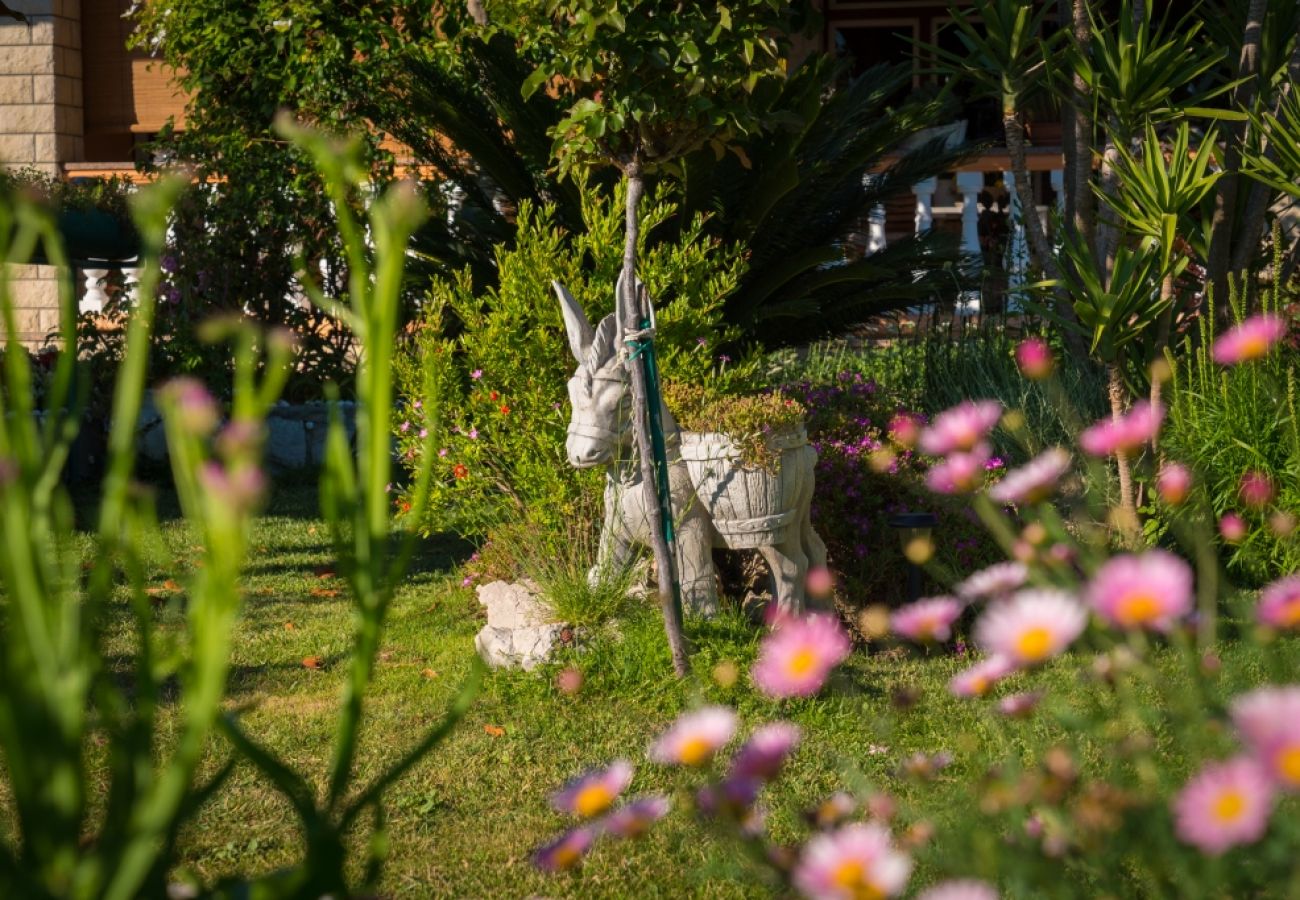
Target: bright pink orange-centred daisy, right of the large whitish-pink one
{"type": "Point", "coordinates": [1142, 591]}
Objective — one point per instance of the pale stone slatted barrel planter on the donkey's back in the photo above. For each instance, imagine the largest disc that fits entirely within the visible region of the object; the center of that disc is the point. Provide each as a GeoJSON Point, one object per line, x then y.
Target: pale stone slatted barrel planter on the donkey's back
{"type": "Point", "coordinates": [751, 508]}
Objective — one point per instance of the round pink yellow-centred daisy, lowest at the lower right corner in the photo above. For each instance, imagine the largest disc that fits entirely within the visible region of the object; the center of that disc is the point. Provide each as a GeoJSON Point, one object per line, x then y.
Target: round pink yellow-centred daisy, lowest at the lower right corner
{"type": "Point", "coordinates": [1225, 806]}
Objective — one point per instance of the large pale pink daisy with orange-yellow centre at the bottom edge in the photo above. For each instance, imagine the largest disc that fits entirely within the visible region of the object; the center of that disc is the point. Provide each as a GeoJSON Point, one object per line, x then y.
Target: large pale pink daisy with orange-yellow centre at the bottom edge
{"type": "Point", "coordinates": [860, 860]}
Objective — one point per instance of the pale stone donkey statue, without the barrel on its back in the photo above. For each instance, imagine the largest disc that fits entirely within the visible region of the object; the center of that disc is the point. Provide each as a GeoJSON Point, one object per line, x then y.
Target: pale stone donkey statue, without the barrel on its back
{"type": "Point", "coordinates": [600, 434]}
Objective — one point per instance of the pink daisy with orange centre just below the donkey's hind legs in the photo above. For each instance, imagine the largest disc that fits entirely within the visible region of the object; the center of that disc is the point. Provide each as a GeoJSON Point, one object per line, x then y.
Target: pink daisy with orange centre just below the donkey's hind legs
{"type": "Point", "coordinates": [798, 657]}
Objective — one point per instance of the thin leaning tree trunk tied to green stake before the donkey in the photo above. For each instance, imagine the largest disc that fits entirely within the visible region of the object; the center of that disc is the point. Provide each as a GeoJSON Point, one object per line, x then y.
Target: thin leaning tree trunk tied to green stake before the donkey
{"type": "Point", "coordinates": [630, 314]}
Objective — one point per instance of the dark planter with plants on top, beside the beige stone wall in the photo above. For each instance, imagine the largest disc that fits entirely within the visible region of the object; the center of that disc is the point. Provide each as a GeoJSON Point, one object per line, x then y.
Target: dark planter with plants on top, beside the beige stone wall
{"type": "Point", "coordinates": [90, 214]}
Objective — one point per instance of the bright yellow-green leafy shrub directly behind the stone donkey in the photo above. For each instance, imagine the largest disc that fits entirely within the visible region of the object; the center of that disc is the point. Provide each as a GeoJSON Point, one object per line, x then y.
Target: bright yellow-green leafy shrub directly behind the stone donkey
{"type": "Point", "coordinates": [502, 375]}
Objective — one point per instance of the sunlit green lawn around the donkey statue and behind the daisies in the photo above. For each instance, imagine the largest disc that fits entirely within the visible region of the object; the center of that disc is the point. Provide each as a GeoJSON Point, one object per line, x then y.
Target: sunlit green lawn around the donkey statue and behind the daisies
{"type": "Point", "coordinates": [466, 821]}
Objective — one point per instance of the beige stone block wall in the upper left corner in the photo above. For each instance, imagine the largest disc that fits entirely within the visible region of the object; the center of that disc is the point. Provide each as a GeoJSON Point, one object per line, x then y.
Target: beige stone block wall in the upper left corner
{"type": "Point", "coordinates": [41, 127]}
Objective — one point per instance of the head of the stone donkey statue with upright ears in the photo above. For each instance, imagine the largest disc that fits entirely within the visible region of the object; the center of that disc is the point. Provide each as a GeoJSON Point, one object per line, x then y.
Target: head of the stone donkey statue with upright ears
{"type": "Point", "coordinates": [599, 391]}
